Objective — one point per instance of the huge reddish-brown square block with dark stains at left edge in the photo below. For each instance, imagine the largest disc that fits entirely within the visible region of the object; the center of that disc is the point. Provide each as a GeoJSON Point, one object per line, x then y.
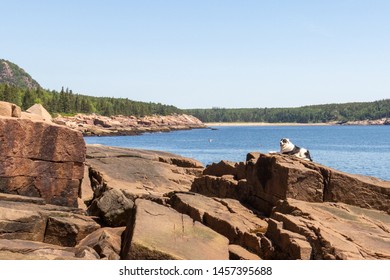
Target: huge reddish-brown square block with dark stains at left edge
{"type": "Point", "coordinates": [40, 159]}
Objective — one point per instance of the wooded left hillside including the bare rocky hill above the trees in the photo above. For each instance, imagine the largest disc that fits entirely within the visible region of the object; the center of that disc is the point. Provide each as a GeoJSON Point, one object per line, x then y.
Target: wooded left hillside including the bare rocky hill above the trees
{"type": "Point", "coordinates": [17, 86]}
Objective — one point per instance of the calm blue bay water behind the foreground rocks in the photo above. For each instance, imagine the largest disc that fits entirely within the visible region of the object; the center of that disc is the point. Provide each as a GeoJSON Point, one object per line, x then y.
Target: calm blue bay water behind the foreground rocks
{"type": "Point", "coordinates": [354, 149]}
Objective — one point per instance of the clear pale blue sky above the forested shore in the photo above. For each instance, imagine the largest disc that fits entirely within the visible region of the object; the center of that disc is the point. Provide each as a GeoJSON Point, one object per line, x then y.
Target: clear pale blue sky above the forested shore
{"type": "Point", "coordinates": [203, 54]}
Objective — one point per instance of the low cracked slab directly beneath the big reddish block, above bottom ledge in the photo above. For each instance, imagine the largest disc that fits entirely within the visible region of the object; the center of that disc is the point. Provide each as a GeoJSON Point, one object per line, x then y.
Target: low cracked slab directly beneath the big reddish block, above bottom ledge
{"type": "Point", "coordinates": [44, 223]}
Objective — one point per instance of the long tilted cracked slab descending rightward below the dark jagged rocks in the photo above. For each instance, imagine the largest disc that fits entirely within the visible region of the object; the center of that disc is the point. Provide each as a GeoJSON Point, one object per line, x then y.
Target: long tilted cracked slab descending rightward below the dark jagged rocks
{"type": "Point", "coordinates": [226, 216]}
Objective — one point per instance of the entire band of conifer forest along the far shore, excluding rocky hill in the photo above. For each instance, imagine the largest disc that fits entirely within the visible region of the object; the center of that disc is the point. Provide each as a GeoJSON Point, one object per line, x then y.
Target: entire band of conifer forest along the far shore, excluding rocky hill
{"type": "Point", "coordinates": [68, 103]}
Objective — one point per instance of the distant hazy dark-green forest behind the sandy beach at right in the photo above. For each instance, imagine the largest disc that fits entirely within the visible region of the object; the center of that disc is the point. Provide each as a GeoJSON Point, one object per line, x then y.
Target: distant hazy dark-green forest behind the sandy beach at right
{"type": "Point", "coordinates": [306, 114]}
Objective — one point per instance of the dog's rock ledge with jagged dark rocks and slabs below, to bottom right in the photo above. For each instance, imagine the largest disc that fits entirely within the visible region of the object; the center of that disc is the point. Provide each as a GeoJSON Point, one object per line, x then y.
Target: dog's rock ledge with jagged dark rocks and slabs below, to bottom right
{"type": "Point", "coordinates": [315, 212]}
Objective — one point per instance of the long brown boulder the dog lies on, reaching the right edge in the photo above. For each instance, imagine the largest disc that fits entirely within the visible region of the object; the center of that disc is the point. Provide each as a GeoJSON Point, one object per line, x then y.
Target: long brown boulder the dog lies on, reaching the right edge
{"type": "Point", "coordinates": [276, 177]}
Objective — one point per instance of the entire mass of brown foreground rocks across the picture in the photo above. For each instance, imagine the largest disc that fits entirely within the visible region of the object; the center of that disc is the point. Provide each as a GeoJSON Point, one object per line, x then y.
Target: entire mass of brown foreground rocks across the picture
{"type": "Point", "coordinates": [63, 199]}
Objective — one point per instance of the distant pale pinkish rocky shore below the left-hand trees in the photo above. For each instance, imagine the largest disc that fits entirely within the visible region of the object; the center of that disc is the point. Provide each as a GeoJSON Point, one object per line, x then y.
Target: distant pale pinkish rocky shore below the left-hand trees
{"type": "Point", "coordinates": [128, 125]}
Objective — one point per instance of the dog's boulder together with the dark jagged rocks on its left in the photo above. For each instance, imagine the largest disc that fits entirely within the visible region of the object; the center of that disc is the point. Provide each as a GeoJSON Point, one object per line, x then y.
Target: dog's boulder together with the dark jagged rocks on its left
{"type": "Point", "coordinates": [269, 178]}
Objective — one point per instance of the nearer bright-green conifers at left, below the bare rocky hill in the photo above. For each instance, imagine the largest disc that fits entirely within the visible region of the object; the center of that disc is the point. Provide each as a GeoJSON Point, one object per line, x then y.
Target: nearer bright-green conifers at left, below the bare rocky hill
{"type": "Point", "coordinates": [69, 103]}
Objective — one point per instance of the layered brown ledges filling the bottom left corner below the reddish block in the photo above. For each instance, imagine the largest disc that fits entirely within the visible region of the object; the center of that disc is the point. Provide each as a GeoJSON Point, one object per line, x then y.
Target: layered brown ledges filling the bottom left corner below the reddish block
{"type": "Point", "coordinates": [31, 229]}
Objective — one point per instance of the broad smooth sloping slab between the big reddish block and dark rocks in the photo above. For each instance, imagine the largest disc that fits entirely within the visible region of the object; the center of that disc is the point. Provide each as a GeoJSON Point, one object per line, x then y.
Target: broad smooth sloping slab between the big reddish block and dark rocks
{"type": "Point", "coordinates": [139, 172]}
